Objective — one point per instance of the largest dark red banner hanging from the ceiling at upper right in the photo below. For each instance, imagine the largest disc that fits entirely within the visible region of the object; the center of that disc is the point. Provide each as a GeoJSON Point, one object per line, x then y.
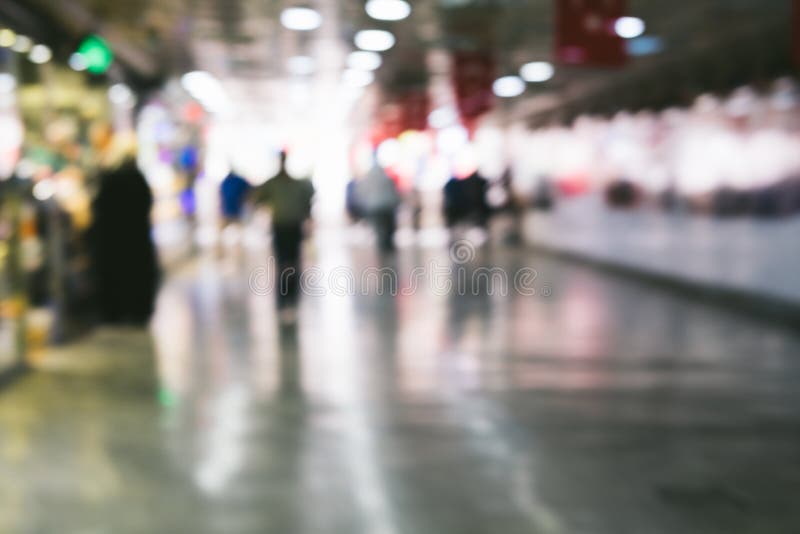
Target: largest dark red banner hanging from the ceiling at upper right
{"type": "Point", "coordinates": [586, 35]}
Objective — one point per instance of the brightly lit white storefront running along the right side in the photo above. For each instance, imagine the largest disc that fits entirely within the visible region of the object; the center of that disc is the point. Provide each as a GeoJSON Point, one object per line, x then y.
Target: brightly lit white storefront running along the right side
{"type": "Point", "coordinates": [707, 195]}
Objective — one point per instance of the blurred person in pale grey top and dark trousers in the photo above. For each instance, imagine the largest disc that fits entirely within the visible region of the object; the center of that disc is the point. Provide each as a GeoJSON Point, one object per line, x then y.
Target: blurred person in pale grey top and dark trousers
{"type": "Point", "coordinates": [377, 199]}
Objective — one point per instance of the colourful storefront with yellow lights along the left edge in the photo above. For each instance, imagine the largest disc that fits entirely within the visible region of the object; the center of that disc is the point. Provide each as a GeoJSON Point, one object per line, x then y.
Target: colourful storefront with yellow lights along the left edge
{"type": "Point", "coordinates": [56, 120]}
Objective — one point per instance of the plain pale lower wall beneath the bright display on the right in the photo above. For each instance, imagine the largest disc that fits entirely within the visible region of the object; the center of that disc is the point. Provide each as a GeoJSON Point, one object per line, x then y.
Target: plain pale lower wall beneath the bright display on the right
{"type": "Point", "coordinates": [757, 256]}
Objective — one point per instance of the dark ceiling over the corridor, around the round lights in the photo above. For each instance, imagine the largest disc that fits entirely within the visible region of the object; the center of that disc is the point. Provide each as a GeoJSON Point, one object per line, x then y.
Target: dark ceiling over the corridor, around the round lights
{"type": "Point", "coordinates": [709, 44]}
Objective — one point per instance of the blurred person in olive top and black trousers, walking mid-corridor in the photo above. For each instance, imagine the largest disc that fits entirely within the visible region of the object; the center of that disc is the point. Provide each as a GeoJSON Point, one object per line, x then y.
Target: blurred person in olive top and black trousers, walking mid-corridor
{"type": "Point", "coordinates": [289, 201]}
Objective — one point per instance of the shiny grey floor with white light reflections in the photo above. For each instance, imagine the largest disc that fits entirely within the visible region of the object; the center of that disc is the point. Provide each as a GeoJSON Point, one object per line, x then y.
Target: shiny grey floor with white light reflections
{"type": "Point", "coordinates": [596, 405]}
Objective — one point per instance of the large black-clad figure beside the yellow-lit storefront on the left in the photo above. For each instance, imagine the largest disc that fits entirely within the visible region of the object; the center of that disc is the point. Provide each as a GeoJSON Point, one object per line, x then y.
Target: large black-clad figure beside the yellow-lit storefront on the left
{"type": "Point", "coordinates": [124, 256]}
